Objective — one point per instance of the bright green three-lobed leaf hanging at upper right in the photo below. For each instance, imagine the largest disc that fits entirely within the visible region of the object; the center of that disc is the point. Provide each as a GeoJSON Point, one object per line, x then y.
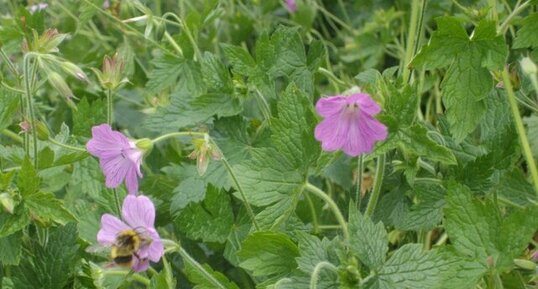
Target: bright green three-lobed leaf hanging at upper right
{"type": "Point", "coordinates": [467, 81]}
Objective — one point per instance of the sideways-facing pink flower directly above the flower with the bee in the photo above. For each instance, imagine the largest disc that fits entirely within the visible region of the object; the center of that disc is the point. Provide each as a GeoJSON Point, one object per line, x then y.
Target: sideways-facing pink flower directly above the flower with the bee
{"type": "Point", "coordinates": [119, 157]}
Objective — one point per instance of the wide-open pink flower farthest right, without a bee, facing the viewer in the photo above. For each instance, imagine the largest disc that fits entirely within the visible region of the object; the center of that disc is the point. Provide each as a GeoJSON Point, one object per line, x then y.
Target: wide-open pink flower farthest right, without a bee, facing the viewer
{"type": "Point", "coordinates": [349, 124]}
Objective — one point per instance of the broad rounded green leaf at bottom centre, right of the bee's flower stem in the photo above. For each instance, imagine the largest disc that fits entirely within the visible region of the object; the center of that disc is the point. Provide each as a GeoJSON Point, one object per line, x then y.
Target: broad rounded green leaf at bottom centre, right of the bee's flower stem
{"type": "Point", "coordinates": [268, 253]}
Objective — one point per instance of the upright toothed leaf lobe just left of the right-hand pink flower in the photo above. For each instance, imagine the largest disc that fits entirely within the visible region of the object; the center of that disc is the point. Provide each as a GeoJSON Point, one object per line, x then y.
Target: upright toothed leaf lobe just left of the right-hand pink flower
{"type": "Point", "coordinates": [292, 129]}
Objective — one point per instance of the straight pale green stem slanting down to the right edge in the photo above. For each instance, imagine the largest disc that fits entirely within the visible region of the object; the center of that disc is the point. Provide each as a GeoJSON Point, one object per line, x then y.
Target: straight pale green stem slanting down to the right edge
{"type": "Point", "coordinates": [520, 129]}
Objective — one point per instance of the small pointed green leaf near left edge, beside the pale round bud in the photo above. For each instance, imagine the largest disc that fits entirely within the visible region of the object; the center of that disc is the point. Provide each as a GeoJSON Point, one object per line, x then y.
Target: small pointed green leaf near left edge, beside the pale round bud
{"type": "Point", "coordinates": [48, 208]}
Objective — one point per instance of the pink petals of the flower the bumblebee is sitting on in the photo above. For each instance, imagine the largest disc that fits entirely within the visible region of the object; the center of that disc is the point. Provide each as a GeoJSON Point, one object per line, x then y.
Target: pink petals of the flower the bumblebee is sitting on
{"type": "Point", "coordinates": [138, 215]}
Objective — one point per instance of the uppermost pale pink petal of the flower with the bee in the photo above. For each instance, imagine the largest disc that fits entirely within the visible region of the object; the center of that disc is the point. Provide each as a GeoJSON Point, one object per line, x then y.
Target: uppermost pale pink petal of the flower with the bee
{"type": "Point", "coordinates": [138, 212]}
